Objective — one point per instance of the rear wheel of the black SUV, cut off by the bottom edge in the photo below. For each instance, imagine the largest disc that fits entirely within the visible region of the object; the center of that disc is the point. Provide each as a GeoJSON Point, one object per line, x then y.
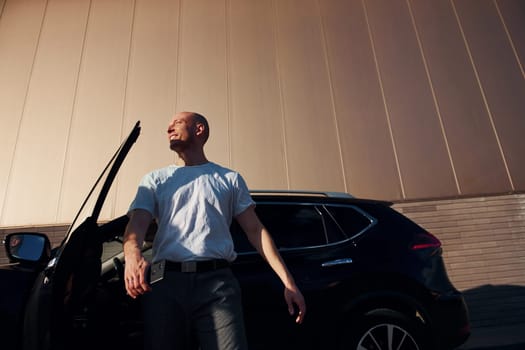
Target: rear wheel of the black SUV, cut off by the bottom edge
{"type": "Point", "coordinates": [383, 330]}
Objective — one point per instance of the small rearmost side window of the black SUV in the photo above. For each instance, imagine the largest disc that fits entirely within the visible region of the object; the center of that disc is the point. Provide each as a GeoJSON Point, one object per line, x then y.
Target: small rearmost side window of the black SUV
{"type": "Point", "coordinates": [350, 220]}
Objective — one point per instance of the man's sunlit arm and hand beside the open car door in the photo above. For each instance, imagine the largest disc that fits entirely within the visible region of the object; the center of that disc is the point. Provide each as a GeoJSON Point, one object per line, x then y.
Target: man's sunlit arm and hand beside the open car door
{"type": "Point", "coordinates": [135, 264]}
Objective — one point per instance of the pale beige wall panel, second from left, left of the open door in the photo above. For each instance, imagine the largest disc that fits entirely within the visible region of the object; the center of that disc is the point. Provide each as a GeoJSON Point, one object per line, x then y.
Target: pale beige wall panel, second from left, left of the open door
{"type": "Point", "coordinates": [38, 163]}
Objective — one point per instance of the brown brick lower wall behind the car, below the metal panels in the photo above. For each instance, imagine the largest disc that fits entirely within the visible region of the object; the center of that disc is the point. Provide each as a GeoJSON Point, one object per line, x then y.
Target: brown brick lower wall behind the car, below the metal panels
{"type": "Point", "coordinates": [484, 248]}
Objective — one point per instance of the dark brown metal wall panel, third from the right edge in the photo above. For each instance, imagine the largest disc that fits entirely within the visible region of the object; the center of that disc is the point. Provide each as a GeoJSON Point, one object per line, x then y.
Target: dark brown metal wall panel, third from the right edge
{"type": "Point", "coordinates": [478, 165]}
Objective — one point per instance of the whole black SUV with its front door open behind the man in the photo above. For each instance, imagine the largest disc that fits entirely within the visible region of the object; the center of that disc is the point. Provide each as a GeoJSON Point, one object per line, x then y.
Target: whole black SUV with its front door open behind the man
{"type": "Point", "coordinates": [372, 279]}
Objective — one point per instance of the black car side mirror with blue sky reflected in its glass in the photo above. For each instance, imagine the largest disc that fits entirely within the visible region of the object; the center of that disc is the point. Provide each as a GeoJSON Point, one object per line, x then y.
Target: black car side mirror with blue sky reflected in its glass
{"type": "Point", "coordinates": [27, 247]}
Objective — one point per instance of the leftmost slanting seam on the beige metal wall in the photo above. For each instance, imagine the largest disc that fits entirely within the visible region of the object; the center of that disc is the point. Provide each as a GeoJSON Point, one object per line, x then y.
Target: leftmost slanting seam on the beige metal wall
{"type": "Point", "coordinates": [22, 113]}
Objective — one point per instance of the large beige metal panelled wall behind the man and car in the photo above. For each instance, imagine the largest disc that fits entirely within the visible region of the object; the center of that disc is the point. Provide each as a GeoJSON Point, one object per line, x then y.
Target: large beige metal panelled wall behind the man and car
{"type": "Point", "coordinates": [390, 99]}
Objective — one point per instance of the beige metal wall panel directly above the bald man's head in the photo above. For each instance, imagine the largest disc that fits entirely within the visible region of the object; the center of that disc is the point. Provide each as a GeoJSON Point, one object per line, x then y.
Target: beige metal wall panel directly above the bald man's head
{"type": "Point", "coordinates": [203, 84]}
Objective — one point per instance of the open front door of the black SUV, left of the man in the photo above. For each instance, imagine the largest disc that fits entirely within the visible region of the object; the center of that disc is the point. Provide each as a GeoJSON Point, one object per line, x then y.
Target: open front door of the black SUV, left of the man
{"type": "Point", "coordinates": [65, 290]}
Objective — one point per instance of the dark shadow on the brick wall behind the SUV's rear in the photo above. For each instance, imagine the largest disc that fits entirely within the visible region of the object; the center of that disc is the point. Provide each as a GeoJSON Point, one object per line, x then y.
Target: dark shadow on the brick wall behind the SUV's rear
{"type": "Point", "coordinates": [496, 305]}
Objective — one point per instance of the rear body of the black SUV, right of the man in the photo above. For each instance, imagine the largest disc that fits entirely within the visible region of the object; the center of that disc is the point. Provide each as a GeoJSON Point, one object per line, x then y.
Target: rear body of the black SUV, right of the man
{"type": "Point", "coordinates": [372, 278]}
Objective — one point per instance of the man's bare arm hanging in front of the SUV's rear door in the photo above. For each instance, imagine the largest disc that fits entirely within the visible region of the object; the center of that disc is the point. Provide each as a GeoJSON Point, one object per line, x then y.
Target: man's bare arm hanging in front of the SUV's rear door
{"type": "Point", "coordinates": [260, 238]}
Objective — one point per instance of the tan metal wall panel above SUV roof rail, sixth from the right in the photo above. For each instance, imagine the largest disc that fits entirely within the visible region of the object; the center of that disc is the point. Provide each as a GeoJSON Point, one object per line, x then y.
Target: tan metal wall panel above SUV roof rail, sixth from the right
{"type": "Point", "coordinates": [311, 135]}
